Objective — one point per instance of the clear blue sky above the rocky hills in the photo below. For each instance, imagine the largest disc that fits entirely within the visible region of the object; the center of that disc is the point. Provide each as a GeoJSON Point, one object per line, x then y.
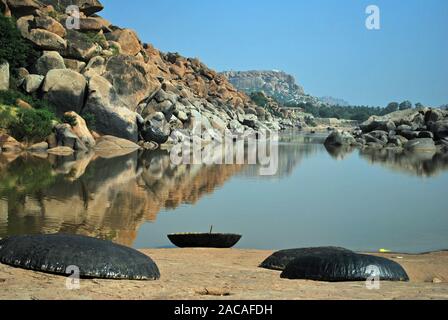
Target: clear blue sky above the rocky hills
{"type": "Point", "coordinates": [323, 43]}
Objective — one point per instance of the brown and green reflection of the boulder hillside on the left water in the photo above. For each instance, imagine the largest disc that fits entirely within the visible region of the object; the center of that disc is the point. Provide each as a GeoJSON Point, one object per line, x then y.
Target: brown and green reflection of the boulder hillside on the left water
{"type": "Point", "coordinates": [89, 195]}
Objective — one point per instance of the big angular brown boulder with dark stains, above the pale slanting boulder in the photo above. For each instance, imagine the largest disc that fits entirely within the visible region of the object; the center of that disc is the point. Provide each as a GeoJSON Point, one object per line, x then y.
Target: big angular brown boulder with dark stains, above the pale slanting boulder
{"type": "Point", "coordinates": [130, 78]}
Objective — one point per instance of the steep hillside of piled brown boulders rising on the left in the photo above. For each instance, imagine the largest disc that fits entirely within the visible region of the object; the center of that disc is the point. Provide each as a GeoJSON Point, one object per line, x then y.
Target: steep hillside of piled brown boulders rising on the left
{"type": "Point", "coordinates": [131, 89]}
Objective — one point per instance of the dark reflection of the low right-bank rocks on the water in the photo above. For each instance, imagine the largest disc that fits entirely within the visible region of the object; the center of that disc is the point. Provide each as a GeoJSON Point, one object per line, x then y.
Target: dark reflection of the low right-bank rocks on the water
{"type": "Point", "coordinates": [419, 164]}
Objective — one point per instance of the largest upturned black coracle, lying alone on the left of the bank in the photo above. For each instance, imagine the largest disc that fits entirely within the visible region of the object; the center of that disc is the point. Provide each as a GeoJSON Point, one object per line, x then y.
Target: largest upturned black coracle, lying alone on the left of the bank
{"type": "Point", "coordinates": [94, 258]}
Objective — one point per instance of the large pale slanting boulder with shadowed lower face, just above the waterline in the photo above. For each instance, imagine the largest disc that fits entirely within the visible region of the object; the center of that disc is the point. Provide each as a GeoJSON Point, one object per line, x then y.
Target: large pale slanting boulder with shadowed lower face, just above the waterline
{"type": "Point", "coordinates": [112, 117]}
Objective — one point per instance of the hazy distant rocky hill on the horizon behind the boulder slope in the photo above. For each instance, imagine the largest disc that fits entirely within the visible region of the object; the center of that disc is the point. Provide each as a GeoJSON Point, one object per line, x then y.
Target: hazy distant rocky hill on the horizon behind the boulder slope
{"type": "Point", "coordinates": [277, 84]}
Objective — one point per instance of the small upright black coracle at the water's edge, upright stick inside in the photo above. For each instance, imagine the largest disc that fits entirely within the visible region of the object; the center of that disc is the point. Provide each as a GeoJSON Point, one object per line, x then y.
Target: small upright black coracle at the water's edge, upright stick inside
{"type": "Point", "coordinates": [204, 240]}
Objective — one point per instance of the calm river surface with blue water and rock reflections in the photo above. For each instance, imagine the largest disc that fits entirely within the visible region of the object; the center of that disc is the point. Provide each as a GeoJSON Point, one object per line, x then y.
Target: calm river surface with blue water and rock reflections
{"type": "Point", "coordinates": [358, 200]}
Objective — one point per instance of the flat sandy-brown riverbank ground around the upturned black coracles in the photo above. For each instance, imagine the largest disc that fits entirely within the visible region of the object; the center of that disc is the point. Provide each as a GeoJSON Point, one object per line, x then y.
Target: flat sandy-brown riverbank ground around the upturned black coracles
{"type": "Point", "coordinates": [210, 273]}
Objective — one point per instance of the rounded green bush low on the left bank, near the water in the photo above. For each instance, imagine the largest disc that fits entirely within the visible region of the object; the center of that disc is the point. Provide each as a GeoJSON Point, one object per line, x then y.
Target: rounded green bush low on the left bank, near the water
{"type": "Point", "coordinates": [32, 125]}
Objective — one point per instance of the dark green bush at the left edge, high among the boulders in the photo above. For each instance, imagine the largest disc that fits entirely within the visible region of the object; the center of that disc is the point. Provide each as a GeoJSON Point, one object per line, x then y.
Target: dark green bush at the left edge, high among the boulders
{"type": "Point", "coordinates": [13, 47]}
